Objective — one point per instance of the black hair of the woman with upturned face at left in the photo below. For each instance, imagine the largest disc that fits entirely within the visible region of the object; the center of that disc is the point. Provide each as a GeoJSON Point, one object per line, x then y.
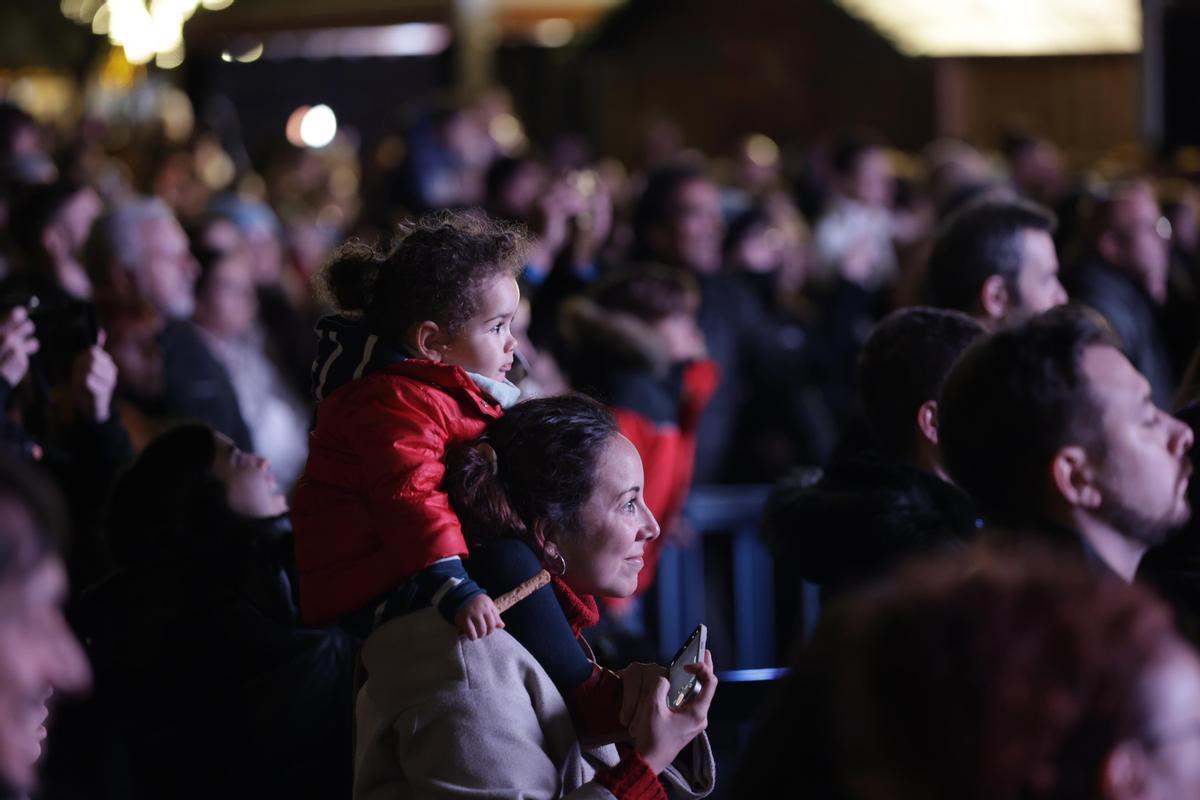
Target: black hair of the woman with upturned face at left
{"type": "Point", "coordinates": [171, 501]}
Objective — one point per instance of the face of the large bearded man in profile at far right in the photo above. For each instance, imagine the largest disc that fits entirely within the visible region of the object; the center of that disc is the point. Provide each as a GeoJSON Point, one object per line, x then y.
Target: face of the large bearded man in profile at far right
{"type": "Point", "coordinates": [1145, 468]}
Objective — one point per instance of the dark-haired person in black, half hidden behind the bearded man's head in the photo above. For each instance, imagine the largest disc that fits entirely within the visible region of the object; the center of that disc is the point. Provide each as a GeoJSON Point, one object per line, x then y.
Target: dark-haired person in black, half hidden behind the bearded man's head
{"type": "Point", "coordinates": [874, 509]}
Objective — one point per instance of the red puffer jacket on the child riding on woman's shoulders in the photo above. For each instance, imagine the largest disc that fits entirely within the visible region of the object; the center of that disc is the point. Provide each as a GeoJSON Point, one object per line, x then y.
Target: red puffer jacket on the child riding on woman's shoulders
{"type": "Point", "coordinates": [370, 510]}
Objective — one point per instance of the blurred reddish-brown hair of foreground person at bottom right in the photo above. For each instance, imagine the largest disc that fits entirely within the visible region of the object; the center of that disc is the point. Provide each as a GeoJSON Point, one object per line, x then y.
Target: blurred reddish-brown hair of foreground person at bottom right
{"type": "Point", "coordinates": [980, 675]}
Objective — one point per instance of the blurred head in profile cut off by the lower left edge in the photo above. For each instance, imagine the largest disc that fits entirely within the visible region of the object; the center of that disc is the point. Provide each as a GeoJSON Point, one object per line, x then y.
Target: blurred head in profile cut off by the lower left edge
{"type": "Point", "coordinates": [39, 654]}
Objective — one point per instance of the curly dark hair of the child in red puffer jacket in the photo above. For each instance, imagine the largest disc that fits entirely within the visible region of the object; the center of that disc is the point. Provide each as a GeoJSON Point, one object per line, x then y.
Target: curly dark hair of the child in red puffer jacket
{"type": "Point", "coordinates": [434, 270]}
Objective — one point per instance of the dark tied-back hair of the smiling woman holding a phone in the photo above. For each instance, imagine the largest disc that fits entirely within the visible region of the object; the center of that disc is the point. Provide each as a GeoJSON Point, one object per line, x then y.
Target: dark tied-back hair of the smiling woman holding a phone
{"type": "Point", "coordinates": [547, 455]}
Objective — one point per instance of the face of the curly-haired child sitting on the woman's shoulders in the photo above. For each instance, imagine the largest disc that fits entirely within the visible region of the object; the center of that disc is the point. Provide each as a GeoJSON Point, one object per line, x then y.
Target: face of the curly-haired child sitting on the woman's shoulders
{"type": "Point", "coordinates": [485, 345]}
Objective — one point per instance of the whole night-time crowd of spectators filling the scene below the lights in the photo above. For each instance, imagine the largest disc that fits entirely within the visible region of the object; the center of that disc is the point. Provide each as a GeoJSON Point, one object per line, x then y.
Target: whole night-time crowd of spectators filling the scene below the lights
{"type": "Point", "coordinates": [319, 477]}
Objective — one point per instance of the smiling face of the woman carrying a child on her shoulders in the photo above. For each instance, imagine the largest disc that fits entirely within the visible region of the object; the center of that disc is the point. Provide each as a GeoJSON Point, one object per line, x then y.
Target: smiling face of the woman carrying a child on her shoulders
{"type": "Point", "coordinates": [605, 556]}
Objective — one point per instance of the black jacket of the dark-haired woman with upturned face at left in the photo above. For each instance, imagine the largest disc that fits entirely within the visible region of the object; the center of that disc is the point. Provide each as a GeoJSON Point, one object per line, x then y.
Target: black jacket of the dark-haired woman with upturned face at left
{"type": "Point", "coordinates": [206, 683]}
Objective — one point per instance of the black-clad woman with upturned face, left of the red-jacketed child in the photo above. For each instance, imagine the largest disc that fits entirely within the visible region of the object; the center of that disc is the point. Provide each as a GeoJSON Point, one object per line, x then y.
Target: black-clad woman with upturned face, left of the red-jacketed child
{"type": "Point", "coordinates": [207, 685]}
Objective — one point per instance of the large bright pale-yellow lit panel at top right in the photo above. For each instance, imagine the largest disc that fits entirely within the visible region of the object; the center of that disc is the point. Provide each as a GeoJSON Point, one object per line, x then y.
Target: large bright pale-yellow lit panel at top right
{"type": "Point", "coordinates": [967, 28]}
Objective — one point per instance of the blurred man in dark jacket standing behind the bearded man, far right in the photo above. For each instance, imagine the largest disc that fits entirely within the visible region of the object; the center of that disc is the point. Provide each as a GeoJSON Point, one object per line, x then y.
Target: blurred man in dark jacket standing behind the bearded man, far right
{"type": "Point", "coordinates": [1124, 276]}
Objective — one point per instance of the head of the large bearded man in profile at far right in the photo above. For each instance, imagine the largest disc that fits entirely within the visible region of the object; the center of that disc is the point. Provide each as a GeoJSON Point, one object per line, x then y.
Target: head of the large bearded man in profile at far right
{"type": "Point", "coordinates": [1057, 435]}
